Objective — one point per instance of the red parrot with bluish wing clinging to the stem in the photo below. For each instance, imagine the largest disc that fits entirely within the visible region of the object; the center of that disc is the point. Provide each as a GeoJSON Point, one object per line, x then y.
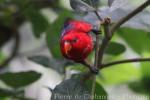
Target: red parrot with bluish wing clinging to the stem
{"type": "Point", "coordinates": [76, 43]}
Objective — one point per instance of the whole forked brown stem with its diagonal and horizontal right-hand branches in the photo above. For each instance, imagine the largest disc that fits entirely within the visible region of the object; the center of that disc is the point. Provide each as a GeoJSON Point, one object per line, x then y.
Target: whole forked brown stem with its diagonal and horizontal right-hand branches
{"type": "Point", "coordinates": [108, 35]}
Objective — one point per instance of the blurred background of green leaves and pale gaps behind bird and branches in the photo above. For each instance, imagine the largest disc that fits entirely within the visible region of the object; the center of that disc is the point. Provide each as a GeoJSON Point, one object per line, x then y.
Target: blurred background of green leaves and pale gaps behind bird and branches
{"type": "Point", "coordinates": [31, 63]}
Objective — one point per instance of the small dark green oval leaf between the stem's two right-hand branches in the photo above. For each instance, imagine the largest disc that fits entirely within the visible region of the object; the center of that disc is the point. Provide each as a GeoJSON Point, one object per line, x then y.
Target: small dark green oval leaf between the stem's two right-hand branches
{"type": "Point", "coordinates": [115, 48]}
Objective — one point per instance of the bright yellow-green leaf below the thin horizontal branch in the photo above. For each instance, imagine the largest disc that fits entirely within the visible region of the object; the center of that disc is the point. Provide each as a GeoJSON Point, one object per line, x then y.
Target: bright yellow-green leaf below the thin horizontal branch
{"type": "Point", "coordinates": [118, 74]}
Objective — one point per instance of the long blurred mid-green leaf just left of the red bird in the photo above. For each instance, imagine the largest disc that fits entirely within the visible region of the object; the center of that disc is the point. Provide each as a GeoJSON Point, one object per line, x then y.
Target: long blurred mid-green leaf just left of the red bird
{"type": "Point", "coordinates": [54, 33]}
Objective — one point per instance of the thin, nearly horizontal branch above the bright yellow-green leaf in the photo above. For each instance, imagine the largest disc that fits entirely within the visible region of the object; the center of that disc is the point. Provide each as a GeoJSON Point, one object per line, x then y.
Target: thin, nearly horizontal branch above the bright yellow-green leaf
{"type": "Point", "coordinates": [125, 61]}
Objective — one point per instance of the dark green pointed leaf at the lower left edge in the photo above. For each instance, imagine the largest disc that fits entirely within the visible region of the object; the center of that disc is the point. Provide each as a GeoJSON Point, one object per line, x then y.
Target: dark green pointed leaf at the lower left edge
{"type": "Point", "coordinates": [19, 79]}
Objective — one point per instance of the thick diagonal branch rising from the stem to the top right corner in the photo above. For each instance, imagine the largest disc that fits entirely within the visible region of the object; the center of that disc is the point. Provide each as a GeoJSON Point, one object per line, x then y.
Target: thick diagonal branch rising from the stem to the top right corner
{"type": "Point", "coordinates": [129, 16]}
